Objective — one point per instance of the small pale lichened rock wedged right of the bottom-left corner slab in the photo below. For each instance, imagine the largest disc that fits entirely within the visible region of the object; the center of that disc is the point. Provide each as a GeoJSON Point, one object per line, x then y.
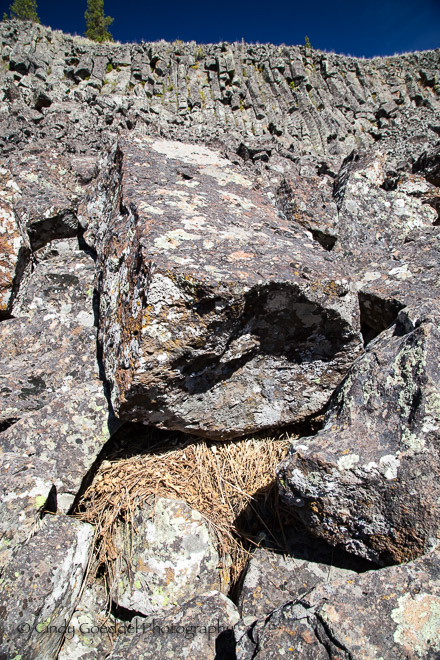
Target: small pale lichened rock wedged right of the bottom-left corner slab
{"type": "Point", "coordinates": [91, 631]}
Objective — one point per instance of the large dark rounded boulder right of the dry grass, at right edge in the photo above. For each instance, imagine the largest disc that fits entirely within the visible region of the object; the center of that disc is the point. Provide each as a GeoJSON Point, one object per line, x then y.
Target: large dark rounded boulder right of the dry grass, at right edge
{"type": "Point", "coordinates": [370, 480]}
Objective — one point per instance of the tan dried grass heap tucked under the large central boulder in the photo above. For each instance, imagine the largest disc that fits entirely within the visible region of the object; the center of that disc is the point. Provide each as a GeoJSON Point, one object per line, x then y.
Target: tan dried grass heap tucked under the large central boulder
{"type": "Point", "coordinates": [228, 483]}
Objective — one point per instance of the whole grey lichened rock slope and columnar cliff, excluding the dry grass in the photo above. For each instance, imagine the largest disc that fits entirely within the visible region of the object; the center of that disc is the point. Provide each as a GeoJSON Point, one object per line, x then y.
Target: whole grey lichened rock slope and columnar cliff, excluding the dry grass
{"type": "Point", "coordinates": [217, 241]}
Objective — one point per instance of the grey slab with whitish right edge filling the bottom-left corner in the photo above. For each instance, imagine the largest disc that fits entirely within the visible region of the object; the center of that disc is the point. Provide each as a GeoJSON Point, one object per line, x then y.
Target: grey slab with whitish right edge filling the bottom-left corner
{"type": "Point", "coordinates": [40, 585]}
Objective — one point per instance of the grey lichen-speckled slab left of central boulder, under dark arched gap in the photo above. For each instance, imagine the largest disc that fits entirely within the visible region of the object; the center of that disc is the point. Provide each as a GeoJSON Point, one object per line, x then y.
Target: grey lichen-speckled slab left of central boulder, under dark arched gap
{"type": "Point", "coordinates": [51, 346]}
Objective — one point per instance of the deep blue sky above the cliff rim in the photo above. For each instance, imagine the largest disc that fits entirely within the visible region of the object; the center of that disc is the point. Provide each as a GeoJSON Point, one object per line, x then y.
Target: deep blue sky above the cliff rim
{"type": "Point", "coordinates": [373, 27]}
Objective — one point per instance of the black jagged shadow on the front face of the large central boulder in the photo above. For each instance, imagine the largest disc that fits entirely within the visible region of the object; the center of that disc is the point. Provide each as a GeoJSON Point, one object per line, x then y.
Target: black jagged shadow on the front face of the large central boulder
{"type": "Point", "coordinates": [276, 323]}
